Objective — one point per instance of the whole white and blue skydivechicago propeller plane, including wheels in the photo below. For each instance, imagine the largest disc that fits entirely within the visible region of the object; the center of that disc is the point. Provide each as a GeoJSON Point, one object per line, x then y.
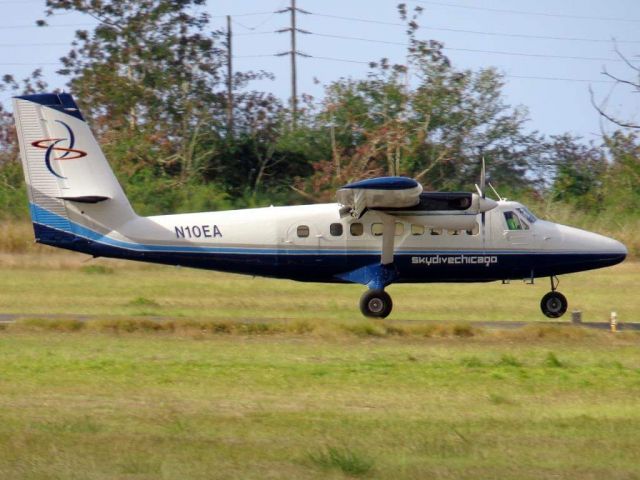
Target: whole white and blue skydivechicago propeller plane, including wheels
{"type": "Point", "coordinates": [381, 231]}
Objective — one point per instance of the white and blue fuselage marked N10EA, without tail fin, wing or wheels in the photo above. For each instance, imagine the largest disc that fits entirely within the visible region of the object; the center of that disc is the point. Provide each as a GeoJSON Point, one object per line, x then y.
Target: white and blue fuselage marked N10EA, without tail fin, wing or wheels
{"type": "Point", "coordinates": [312, 243]}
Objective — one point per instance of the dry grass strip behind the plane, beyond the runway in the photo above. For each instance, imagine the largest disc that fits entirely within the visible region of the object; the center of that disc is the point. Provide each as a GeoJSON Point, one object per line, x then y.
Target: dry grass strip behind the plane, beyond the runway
{"type": "Point", "coordinates": [67, 284]}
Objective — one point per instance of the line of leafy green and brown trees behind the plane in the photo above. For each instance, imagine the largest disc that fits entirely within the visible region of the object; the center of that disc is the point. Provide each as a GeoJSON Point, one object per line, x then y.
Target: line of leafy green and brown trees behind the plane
{"type": "Point", "coordinates": [151, 80]}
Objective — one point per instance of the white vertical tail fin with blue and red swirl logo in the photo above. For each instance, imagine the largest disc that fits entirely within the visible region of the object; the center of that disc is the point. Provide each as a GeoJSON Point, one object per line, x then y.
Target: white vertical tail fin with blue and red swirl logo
{"type": "Point", "coordinates": [70, 184]}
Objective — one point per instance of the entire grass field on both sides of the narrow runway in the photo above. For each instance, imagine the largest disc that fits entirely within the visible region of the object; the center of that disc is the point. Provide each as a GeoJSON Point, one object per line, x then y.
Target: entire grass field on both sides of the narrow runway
{"type": "Point", "coordinates": [305, 388]}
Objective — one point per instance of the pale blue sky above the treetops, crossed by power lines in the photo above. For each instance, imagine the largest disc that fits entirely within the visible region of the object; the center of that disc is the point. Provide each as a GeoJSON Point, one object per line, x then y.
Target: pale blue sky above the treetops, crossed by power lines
{"type": "Point", "coordinates": [550, 50]}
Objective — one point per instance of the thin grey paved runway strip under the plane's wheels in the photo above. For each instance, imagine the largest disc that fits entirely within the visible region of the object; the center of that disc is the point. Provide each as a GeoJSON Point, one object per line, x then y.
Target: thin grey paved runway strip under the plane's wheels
{"type": "Point", "coordinates": [504, 325]}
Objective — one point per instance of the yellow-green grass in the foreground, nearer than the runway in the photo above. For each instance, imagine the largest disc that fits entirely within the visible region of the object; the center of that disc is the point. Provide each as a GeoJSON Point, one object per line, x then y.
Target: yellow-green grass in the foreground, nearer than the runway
{"type": "Point", "coordinates": [87, 405]}
